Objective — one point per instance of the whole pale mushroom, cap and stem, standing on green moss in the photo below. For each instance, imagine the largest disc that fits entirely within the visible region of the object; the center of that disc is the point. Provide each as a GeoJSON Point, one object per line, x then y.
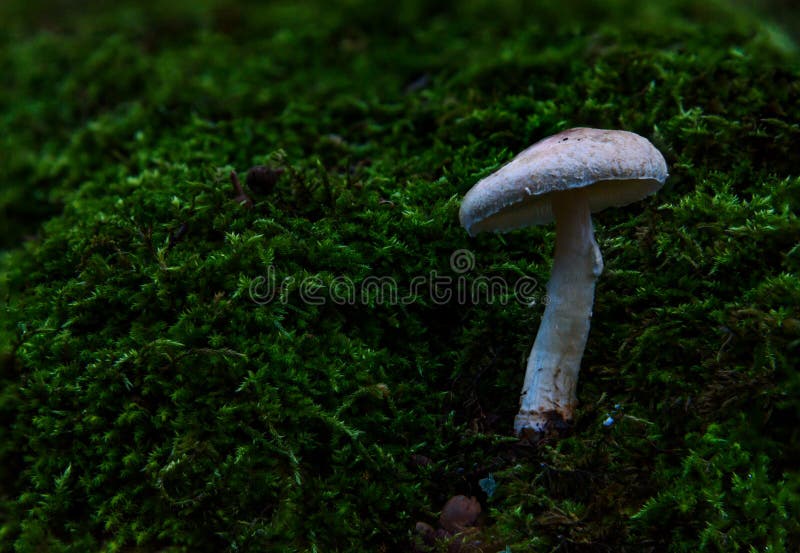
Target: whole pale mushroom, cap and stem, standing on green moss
{"type": "Point", "coordinates": [565, 178]}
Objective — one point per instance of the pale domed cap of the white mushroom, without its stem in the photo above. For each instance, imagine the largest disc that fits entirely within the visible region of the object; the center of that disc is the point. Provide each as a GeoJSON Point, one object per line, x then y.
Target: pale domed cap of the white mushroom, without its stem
{"type": "Point", "coordinates": [615, 167]}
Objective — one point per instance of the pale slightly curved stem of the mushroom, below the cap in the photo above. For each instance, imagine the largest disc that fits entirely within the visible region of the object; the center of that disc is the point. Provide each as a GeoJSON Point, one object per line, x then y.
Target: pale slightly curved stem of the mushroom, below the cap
{"type": "Point", "coordinates": [548, 393]}
